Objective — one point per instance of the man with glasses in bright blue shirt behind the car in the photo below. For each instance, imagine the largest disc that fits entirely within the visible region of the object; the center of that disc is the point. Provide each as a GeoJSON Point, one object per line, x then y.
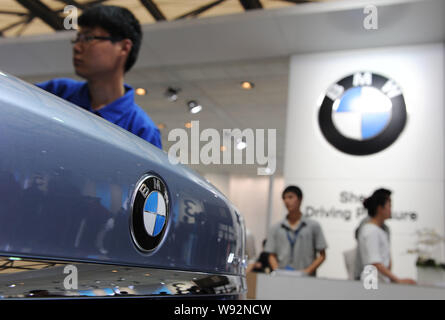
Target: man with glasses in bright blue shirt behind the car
{"type": "Point", "coordinates": [106, 47]}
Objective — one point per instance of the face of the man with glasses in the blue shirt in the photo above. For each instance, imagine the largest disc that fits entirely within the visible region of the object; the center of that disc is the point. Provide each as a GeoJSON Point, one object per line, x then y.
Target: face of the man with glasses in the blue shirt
{"type": "Point", "coordinates": [98, 57]}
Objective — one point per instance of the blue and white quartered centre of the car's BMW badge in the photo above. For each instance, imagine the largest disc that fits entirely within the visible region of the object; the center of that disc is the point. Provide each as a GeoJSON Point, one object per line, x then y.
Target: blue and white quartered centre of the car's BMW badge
{"type": "Point", "coordinates": [154, 213]}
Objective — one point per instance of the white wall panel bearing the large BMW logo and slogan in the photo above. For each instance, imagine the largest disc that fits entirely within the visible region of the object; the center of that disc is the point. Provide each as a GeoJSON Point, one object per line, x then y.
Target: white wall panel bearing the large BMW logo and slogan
{"type": "Point", "coordinates": [412, 167]}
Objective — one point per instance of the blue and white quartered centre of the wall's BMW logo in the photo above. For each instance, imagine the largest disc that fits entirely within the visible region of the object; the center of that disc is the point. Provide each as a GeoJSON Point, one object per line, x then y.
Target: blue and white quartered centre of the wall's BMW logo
{"type": "Point", "coordinates": [362, 113]}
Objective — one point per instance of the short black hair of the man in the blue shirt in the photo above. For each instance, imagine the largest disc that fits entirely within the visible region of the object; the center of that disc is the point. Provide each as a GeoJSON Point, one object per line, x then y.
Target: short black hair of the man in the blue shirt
{"type": "Point", "coordinates": [119, 22]}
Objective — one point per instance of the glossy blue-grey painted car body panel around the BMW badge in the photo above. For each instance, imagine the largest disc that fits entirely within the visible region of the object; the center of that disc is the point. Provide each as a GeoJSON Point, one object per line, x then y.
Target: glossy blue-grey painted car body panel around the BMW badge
{"type": "Point", "coordinates": [67, 178]}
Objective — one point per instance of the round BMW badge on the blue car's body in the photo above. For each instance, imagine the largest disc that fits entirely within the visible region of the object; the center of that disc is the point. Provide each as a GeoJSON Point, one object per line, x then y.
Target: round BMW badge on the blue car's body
{"type": "Point", "coordinates": [150, 212]}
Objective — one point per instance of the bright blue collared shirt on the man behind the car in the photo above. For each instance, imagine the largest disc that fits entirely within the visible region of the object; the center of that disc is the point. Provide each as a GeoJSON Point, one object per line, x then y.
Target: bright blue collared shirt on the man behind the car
{"type": "Point", "coordinates": [123, 112]}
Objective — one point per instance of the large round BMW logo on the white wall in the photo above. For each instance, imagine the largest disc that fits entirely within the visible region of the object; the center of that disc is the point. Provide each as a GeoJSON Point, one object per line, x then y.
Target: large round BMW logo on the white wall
{"type": "Point", "coordinates": [362, 113]}
